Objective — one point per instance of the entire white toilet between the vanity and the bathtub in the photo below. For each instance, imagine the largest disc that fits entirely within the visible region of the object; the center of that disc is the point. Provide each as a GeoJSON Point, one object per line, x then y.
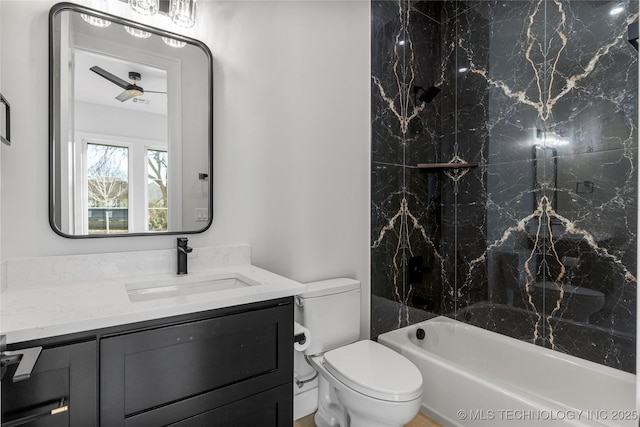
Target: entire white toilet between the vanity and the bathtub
{"type": "Point", "coordinates": [360, 383]}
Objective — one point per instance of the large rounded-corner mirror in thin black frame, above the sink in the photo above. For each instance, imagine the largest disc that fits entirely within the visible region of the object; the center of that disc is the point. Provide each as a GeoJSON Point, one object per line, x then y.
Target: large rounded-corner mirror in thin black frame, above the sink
{"type": "Point", "coordinates": [130, 127]}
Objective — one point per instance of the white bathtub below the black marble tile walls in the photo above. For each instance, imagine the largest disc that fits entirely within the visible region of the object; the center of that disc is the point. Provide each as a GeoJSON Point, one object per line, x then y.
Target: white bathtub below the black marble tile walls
{"type": "Point", "coordinates": [474, 377]}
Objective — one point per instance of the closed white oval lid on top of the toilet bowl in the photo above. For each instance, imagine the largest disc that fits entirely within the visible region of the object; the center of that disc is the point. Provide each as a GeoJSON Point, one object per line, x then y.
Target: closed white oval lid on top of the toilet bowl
{"type": "Point", "coordinates": [375, 370]}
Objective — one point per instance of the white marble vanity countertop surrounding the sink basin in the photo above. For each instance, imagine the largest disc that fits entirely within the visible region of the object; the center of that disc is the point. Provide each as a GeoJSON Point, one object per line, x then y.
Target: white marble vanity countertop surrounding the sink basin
{"type": "Point", "coordinates": [35, 312]}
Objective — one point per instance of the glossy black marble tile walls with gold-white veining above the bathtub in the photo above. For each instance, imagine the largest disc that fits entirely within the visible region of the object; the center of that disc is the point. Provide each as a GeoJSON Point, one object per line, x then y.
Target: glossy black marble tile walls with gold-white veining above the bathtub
{"type": "Point", "coordinates": [538, 241]}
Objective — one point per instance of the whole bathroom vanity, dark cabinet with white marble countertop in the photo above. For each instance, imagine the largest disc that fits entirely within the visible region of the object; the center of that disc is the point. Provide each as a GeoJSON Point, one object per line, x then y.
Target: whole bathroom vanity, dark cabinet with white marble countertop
{"type": "Point", "coordinates": [114, 356]}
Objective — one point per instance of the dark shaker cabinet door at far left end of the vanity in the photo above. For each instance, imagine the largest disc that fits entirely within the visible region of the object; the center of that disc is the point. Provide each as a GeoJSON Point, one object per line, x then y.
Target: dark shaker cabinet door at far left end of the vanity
{"type": "Point", "coordinates": [63, 376]}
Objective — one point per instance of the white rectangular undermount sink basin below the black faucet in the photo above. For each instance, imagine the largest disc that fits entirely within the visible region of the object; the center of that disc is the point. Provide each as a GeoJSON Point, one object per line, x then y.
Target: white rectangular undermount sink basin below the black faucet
{"type": "Point", "coordinates": [185, 285]}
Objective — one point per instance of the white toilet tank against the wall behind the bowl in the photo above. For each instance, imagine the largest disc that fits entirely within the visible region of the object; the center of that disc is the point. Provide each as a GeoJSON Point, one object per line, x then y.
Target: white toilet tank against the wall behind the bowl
{"type": "Point", "coordinates": [330, 309]}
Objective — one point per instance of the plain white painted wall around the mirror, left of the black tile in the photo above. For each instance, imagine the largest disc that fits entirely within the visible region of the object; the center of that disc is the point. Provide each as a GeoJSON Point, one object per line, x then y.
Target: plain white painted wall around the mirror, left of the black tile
{"type": "Point", "coordinates": [291, 137]}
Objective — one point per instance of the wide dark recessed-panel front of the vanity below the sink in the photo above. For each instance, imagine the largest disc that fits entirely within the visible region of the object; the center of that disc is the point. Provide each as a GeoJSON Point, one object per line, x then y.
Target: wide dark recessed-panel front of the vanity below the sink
{"type": "Point", "coordinates": [167, 374]}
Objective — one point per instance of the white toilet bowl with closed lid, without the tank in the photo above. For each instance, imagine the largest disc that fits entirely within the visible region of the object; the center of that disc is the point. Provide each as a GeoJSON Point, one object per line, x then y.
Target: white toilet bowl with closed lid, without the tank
{"type": "Point", "coordinates": [365, 384]}
